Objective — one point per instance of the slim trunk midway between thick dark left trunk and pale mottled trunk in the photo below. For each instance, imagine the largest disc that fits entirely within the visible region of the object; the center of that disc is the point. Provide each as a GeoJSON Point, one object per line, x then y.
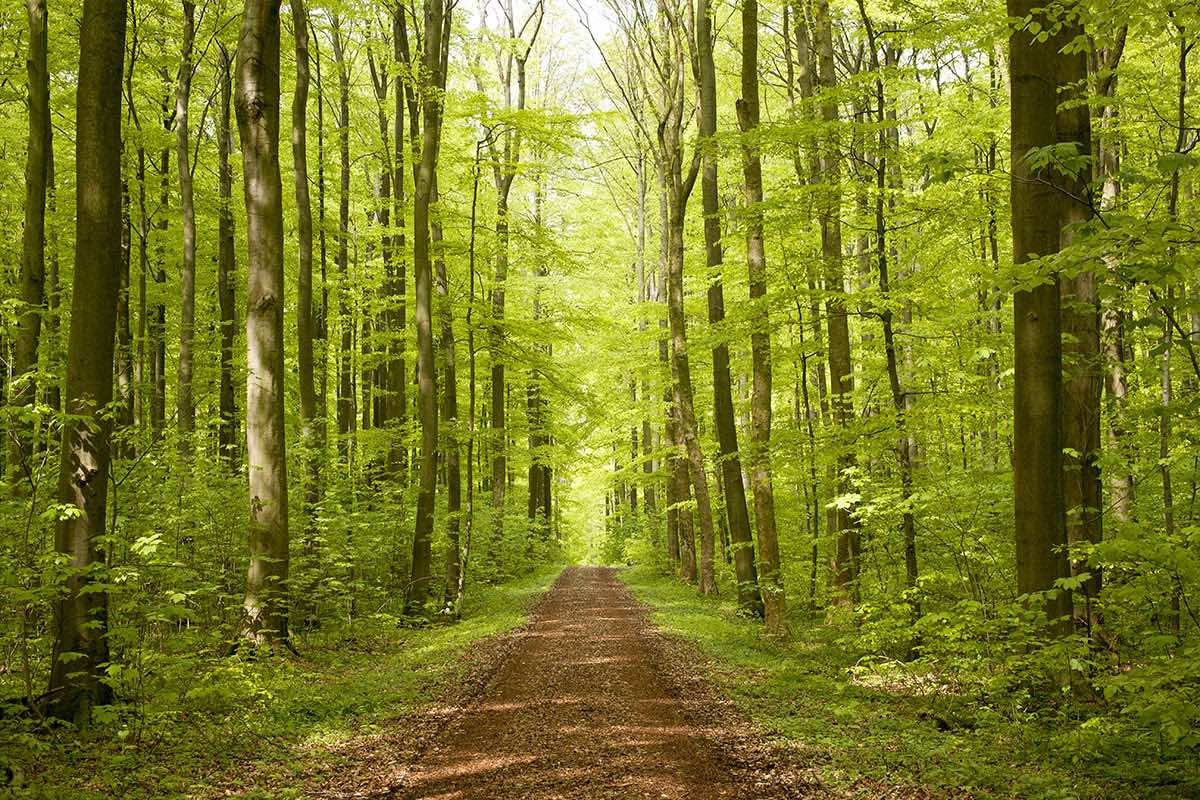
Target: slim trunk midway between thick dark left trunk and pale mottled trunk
{"type": "Point", "coordinates": [185, 406]}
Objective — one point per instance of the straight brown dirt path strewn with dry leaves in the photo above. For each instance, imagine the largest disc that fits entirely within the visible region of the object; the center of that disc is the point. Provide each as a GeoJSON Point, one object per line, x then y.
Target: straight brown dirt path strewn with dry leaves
{"type": "Point", "coordinates": [583, 708]}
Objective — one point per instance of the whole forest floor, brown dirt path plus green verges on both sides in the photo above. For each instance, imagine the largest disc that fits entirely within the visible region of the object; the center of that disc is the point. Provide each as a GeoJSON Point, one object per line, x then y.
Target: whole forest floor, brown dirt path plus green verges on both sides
{"type": "Point", "coordinates": [609, 685]}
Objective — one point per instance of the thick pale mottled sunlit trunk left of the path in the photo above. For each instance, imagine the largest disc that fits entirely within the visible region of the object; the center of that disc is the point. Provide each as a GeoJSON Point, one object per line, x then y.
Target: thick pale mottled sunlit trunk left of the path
{"type": "Point", "coordinates": [257, 100]}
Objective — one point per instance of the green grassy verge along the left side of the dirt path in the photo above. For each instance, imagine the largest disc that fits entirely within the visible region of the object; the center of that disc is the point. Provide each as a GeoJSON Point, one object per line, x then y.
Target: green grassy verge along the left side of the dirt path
{"type": "Point", "coordinates": [215, 726]}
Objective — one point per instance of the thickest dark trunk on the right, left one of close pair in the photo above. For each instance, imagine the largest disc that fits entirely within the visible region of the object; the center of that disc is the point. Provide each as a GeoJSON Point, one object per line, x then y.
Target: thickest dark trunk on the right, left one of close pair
{"type": "Point", "coordinates": [1037, 312]}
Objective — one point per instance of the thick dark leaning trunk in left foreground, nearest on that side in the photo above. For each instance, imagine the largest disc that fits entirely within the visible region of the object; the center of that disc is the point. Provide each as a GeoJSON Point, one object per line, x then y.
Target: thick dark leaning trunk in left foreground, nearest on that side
{"type": "Point", "coordinates": [81, 613]}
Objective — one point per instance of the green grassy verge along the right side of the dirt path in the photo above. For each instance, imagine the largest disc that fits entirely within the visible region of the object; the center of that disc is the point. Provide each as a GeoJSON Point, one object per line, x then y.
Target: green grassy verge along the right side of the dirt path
{"type": "Point", "coordinates": [866, 724]}
